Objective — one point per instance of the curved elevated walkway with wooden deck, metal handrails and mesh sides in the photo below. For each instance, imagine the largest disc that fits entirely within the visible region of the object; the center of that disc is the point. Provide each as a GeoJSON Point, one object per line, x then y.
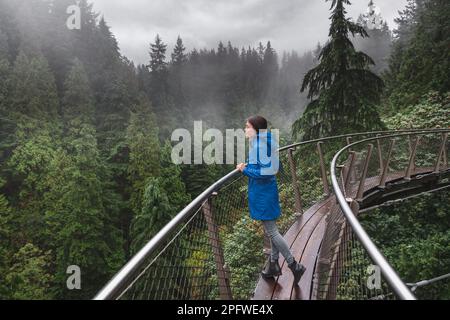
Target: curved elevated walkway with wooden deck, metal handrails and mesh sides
{"type": "Point", "coordinates": [212, 250]}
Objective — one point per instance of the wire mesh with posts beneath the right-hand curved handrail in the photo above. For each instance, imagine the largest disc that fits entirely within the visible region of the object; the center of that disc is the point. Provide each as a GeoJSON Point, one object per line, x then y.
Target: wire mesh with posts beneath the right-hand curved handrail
{"type": "Point", "coordinates": [344, 268]}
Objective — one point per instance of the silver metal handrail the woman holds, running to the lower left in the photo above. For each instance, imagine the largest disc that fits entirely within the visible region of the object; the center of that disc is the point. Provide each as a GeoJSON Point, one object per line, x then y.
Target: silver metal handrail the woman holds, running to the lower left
{"type": "Point", "coordinates": [120, 281]}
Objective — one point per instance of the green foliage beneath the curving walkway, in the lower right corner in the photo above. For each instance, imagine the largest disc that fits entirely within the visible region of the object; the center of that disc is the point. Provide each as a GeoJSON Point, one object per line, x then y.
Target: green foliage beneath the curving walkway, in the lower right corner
{"type": "Point", "coordinates": [414, 236]}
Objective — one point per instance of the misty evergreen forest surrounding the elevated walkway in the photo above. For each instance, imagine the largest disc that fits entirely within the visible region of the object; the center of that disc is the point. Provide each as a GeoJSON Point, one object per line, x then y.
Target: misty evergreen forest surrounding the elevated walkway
{"type": "Point", "coordinates": [86, 176]}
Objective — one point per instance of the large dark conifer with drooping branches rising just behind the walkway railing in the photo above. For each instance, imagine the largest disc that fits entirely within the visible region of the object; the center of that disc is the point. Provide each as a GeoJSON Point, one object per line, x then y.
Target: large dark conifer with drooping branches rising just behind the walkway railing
{"type": "Point", "coordinates": [342, 89]}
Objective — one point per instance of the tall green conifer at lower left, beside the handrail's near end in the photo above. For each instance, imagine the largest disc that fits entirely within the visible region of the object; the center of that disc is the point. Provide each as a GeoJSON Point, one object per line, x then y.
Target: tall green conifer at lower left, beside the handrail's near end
{"type": "Point", "coordinates": [80, 221]}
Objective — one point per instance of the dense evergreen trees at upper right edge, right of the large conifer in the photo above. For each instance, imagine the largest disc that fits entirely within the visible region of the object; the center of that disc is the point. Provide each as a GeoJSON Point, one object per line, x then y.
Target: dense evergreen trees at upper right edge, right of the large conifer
{"type": "Point", "coordinates": [420, 60]}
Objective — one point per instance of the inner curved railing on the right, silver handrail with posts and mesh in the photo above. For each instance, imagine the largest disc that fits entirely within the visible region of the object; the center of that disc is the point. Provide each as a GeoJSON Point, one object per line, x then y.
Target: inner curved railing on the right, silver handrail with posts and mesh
{"type": "Point", "coordinates": [365, 181]}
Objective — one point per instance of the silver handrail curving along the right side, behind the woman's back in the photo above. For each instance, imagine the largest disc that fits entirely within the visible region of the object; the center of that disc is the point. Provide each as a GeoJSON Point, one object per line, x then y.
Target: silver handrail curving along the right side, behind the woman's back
{"type": "Point", "coordinates": [388, 272]}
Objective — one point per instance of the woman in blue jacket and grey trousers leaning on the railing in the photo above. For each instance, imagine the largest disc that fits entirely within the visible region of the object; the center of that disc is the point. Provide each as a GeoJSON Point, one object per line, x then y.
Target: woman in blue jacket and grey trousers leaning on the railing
{"type": "Point", "coordinates": [263, 199]}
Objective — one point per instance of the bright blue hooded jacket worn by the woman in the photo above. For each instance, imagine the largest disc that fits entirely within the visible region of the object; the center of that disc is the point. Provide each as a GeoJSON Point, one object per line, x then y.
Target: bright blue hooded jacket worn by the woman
{"type": "Point", "coordinates": [263, 198]}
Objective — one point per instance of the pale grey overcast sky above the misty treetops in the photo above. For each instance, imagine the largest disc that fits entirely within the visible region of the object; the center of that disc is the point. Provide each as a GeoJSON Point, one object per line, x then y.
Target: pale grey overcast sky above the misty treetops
{"type": "Point", "coordinates": [288, 24]}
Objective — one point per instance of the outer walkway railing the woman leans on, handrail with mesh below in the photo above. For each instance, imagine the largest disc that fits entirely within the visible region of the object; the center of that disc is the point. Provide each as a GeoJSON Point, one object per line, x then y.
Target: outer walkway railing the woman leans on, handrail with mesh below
{"type": "Point", "coordinates": [211, 249]}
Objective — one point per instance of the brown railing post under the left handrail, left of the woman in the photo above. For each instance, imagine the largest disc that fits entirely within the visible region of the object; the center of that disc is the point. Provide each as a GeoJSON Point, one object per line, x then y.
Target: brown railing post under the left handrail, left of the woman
{"type": "Point", "coordinates": [213, 232]}
